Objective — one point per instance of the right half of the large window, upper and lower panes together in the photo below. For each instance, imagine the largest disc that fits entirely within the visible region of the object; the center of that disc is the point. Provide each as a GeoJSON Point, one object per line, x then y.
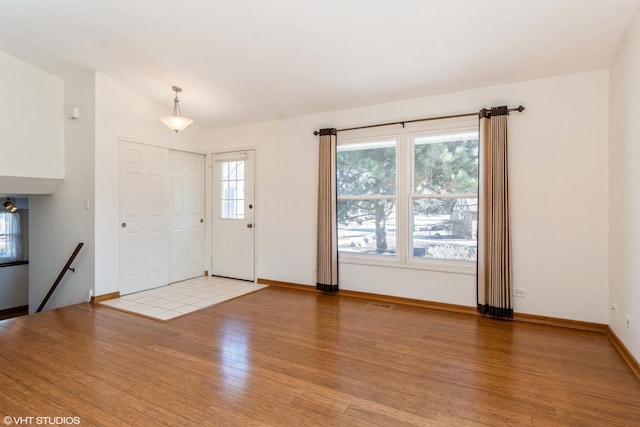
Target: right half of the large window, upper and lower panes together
{"type": "Point", "coordinates": [444, 198]}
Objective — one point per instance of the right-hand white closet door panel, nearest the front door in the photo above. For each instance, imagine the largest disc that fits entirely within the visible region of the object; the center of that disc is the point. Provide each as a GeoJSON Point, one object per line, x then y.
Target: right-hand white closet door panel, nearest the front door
{"type": "Point", "coordinates": [186, 254]}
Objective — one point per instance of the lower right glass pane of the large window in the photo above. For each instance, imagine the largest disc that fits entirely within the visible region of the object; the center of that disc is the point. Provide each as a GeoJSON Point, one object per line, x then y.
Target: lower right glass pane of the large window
{"type": "Point", "coordinates": [445, 228]}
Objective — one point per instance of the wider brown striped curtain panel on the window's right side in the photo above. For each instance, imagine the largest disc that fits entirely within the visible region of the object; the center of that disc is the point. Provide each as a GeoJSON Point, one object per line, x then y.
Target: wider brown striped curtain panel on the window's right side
{"type": "Point", "coordinates": [494, 279]}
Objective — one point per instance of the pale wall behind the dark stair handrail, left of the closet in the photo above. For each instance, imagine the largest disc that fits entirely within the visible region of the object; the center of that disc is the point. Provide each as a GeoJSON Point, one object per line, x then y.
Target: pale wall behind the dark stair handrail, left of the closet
{"type": "Point", "coordinates": [58, 222]}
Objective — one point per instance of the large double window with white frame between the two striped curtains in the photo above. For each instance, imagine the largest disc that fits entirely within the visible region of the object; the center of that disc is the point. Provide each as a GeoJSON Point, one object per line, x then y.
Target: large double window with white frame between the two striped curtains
{"type": "Point", "coordinates": [410, 197]}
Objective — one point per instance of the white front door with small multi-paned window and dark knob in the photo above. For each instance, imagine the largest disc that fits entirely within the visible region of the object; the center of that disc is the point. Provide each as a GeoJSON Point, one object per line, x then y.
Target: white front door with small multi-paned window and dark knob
{"type": "Point", "coordinates": [233, 215]}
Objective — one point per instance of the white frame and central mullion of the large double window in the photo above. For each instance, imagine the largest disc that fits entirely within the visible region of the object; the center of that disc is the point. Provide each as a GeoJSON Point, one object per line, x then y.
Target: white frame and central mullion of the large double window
{"type": "Point", "coordinates": [405, 172]}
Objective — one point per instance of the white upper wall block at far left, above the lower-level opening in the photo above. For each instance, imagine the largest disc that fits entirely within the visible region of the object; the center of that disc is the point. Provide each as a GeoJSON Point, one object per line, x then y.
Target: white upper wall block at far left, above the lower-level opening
{"type": "Point", "coordinates": [31, 114]}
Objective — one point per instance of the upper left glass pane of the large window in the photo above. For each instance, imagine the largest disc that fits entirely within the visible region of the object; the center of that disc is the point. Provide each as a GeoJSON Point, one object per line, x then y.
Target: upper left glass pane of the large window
{"type": "Point", "coordinates": [365, 169]}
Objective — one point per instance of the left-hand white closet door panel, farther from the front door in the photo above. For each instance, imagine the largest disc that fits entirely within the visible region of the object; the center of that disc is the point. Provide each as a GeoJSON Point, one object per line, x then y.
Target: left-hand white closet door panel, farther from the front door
{"type": "Point", "coordinates": [144, 241]}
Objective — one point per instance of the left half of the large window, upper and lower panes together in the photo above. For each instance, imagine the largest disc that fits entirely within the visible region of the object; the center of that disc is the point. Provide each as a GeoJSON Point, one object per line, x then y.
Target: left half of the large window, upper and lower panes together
{"type": "Point", "coordinates": [367, 201]}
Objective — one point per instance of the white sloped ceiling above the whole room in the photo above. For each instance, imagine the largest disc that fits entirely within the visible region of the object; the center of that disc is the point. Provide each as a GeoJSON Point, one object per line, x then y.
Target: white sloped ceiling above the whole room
{"type": "Point", "coordinates": [242, 61]}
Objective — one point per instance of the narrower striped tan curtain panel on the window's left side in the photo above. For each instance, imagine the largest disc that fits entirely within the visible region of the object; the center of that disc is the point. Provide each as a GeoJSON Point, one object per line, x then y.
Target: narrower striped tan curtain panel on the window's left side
{"type": "Point", "coordinates": [327, 280]}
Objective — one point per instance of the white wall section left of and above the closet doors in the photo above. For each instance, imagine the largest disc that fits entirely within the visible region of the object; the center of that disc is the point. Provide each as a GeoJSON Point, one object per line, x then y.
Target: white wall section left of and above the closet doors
{"type": "Point", "coordinates": [121, 113]}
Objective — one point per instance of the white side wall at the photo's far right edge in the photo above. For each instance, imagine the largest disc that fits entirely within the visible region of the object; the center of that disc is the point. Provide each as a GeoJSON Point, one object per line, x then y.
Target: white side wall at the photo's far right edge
{"type": "Point", "coordinates": [625, 190]}
